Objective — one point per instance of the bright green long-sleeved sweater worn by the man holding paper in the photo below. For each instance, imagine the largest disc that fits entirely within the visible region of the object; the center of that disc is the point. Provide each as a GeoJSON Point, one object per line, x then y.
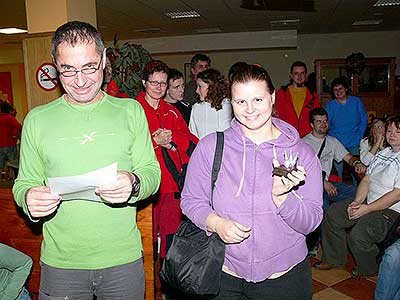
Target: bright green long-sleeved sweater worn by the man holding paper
{"type": "Point", "coordinates": [63, 139]}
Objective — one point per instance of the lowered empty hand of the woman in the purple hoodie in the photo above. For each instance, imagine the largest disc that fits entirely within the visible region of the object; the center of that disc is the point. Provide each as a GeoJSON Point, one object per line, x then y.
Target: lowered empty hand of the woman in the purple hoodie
{"type": "Point", "coordinates": [229, 231]}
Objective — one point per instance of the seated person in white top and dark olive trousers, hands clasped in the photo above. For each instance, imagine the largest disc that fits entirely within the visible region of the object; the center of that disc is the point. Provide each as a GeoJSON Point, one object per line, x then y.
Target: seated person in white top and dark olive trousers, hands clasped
{"type": "Point", "coordinates": [363, 222]}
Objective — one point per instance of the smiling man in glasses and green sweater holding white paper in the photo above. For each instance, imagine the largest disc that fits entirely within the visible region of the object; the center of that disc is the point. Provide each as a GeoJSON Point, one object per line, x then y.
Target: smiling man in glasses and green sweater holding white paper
{"type": "Point", "coordinates": [90, 247]}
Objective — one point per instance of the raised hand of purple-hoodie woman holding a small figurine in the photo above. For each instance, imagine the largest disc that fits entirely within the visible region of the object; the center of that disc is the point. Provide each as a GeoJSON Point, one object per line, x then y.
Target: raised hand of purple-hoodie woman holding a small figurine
{"type": "Point", "coordinates": [281, 185]}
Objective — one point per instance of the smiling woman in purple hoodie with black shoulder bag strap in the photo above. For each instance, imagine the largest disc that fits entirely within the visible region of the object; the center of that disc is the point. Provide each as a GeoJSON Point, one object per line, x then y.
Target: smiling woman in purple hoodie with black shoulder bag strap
{"type": "Point", "coordinates": [262, 218]}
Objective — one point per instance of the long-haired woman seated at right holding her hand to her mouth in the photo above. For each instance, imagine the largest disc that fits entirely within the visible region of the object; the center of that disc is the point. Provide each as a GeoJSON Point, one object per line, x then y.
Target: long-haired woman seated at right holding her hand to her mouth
{"type": "Point", "coordinates": [374, 142]}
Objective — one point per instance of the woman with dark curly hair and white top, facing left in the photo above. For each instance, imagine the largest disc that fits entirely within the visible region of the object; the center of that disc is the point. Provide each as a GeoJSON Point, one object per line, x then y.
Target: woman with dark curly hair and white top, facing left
{"type": "Point", "coordinates": [213, 111]}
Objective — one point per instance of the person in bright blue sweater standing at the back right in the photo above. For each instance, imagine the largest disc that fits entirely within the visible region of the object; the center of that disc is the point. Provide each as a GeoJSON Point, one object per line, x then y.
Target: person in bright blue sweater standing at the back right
{"type": "Point", "coordinates": [347, 119]}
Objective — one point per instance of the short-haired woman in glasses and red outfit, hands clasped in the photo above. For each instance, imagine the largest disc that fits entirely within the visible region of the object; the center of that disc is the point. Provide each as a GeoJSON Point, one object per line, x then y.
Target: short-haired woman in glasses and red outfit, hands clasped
{"type": "Point", "coordinates": [173, 144]}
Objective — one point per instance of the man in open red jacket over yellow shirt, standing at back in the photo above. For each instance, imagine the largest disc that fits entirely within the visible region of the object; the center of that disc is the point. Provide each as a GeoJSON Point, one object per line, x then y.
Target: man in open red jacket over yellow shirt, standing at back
{"type": "Point", "coordinates": [295, 101]}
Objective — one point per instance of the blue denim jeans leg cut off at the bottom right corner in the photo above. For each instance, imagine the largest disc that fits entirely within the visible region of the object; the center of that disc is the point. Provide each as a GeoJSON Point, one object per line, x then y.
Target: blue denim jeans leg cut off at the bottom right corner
{"type": "Point", "coordinates": [388, 285]}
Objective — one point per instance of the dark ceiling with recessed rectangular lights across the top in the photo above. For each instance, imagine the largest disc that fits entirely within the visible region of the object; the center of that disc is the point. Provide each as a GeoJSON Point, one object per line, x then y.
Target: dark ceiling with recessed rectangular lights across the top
{"type": "Point", "coordinates": [137, 19]}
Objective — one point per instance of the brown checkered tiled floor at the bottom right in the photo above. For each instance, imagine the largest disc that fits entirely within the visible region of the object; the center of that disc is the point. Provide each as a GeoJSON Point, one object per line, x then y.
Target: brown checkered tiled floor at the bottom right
{"type": "Point", "coordinates": [337, 284]}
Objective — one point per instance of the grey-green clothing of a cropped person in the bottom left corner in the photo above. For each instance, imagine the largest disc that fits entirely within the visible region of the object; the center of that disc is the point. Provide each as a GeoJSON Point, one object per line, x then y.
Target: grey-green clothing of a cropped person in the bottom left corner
{"type": "Point", "coordinates": [15, 267]}
